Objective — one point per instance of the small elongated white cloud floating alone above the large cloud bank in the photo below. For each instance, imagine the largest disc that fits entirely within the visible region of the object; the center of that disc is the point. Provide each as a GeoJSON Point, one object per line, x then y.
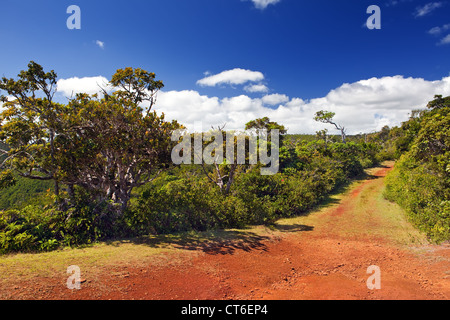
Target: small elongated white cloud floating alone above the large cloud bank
{"type": "Point", "coordinates": [235, 76]}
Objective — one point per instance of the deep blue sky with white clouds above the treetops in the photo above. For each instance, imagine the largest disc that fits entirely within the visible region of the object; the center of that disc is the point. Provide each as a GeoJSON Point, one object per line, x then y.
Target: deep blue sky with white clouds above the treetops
{"type": "Point", "coordinates": [299, 56]}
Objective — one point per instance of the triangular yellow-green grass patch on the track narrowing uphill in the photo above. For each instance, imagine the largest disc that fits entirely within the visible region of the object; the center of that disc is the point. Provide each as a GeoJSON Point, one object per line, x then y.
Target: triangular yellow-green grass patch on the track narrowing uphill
{"type": "Point", "coordinates": [368, 215]}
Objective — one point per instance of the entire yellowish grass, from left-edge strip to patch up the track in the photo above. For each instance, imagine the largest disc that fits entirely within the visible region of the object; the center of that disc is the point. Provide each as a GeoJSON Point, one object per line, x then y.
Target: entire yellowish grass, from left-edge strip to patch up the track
{"type": "Point", "coordinates": [369, 215]}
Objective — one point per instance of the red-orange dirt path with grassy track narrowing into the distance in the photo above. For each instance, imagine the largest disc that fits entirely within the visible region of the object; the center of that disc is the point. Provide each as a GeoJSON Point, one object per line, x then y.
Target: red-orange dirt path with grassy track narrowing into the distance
{"type": "Point", "coordinates": [322, 256]}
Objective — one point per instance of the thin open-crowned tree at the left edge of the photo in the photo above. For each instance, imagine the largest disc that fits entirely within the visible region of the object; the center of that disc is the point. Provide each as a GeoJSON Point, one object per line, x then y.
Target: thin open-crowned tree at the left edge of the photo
{"type": "Point", "coordinates": [29, 125]}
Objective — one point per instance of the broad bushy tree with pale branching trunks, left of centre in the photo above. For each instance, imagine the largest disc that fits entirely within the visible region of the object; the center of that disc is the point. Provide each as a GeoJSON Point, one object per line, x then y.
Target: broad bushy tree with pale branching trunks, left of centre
{"type": "Point", "coordinates": [110, 146]}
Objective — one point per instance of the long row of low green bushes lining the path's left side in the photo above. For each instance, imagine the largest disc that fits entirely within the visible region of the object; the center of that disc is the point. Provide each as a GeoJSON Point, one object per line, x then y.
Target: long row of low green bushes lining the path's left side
{"type": "Point", "coordinates": [183, 199]}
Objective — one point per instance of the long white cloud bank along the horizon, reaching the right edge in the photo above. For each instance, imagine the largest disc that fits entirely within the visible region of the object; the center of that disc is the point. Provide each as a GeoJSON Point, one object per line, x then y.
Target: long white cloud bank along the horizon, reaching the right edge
{"type": "Point", "coordinates": [362, 106]}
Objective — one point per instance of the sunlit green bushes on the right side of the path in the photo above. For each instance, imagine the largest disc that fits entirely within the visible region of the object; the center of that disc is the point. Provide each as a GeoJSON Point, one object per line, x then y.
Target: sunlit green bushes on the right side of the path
{"type": "Point", "coordinates": [421, 180]}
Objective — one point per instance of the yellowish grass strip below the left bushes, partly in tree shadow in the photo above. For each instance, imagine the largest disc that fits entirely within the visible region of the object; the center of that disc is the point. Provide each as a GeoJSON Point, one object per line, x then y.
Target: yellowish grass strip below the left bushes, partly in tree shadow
{"type": "Point", "coordinates": [151, 250]}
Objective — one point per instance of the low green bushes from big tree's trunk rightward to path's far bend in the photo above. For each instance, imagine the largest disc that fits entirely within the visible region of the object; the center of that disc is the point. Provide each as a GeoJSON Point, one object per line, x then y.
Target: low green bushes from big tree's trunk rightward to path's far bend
{"type": "Point", "coordinates": [192, 202]}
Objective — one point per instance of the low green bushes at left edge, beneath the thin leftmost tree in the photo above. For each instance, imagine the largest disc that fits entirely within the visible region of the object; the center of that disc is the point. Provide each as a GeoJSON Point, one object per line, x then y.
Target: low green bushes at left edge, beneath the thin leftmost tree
{"type": "Point", "coordinates": [45, 228]}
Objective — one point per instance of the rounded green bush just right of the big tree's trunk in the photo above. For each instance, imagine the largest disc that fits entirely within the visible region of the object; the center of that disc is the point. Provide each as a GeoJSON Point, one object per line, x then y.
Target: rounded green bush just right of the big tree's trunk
{"type": "Point", "coordinates": [181, 205]}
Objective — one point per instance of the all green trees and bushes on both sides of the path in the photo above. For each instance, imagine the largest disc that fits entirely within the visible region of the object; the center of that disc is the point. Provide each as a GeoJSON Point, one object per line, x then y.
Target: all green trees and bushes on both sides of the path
{"type": "Point", "coordinates": [99, 168]}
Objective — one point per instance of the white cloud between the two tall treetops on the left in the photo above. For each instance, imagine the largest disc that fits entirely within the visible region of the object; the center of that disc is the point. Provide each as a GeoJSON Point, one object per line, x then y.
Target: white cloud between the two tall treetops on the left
{"type": "Point", "coordinates": [90, 85]}
